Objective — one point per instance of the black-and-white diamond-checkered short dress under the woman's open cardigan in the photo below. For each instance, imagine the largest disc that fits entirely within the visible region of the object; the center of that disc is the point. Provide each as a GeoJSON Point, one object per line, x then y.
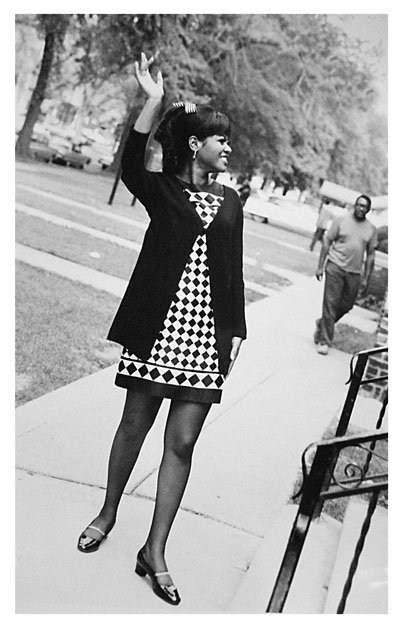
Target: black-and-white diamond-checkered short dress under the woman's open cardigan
{"type": "Point", "coordinates": [183, 363]}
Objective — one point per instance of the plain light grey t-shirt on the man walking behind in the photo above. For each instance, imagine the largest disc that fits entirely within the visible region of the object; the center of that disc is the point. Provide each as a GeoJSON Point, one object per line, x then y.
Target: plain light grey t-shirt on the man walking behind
{"type": "Point", "coordinates": [349, 239]}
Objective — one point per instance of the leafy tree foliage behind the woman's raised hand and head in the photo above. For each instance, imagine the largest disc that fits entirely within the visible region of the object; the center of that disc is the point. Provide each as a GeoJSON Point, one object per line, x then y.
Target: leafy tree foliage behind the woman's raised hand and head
{"type": "Point", "coordinates": [297, 89]}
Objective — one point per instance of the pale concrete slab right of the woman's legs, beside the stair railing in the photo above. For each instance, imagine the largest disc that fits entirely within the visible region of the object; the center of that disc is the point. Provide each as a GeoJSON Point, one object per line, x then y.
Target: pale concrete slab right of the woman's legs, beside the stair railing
{"type": "Point", "coordinates": [247, 461]}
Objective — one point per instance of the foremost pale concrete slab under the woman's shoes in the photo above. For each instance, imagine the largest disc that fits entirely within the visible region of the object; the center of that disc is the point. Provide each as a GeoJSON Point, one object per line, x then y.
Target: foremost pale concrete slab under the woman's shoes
{"type": "Point", "coordinates": [206, 559]}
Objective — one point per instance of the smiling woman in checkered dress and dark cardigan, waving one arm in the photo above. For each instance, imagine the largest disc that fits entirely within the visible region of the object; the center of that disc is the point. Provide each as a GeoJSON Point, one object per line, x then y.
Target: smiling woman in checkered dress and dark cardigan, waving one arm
{"type": "Point", "coordinates": [181, 320]}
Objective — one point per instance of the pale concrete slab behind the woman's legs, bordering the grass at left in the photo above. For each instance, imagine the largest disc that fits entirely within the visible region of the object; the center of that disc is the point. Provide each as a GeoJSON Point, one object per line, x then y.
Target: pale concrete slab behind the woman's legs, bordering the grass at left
{"type": "Point", "coordinates": [68, 432]}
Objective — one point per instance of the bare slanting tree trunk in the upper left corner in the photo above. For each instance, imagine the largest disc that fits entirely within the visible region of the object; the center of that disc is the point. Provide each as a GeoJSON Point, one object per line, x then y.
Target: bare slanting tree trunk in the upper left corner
{"type": "Point", "coordinates": [38, 95]}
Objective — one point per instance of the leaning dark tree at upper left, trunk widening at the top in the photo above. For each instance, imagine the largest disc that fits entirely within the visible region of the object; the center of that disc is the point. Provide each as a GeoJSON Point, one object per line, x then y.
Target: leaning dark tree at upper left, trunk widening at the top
{"type": "Point", "coordinates": [54, 27]}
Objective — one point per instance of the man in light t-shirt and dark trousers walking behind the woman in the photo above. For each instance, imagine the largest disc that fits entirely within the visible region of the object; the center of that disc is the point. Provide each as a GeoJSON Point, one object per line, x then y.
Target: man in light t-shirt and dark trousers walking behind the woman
{"type": "Point", "coordinates": [349, 244]}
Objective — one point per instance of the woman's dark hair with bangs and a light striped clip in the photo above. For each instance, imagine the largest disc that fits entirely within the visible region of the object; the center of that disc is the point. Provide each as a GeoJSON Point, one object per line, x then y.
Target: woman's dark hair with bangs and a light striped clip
{"type": "Point", "coordinates": [177, 126]}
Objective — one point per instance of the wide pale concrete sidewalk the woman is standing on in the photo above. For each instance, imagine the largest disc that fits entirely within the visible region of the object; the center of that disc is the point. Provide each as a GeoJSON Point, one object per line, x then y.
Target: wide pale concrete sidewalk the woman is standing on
{"type": "Point", "coordinates": [280, 397]}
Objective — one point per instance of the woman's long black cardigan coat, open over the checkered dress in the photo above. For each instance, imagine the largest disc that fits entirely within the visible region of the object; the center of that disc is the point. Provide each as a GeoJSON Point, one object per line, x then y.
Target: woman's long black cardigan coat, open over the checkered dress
{"type": "Point", "coordinates": [168, 241]}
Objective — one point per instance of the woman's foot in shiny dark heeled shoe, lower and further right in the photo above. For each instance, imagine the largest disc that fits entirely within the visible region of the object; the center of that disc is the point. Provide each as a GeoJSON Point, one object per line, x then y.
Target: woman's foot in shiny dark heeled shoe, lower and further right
{"type": "Point", "coordinates": [153, 564]}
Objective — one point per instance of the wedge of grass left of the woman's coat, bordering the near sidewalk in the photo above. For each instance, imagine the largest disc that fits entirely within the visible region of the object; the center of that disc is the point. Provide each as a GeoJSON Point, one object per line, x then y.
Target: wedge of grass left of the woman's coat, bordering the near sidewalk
{"type": "Point", "coordinates": [60, 332]}
